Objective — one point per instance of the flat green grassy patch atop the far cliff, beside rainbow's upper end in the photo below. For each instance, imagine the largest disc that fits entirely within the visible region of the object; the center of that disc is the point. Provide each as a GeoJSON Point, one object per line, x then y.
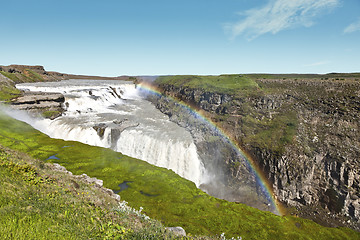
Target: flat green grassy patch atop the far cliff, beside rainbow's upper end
{"type": "Point", "coordinates": [228, 84]}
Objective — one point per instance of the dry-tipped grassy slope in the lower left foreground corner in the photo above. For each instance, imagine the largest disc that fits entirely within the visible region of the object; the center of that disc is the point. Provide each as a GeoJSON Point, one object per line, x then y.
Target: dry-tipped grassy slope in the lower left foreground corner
{"type": "Point", "coordinates": [39, 203]}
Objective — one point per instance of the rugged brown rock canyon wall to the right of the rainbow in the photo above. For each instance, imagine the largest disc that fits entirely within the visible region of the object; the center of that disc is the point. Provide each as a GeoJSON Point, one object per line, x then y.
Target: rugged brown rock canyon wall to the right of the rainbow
{"type": "Point", "coordinates": [304, 134]}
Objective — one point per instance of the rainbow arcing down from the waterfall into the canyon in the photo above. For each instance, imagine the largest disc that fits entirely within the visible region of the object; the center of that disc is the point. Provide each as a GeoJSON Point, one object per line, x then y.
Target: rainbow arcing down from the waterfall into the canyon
{"type": "Point", "coordinates": [259, 174]}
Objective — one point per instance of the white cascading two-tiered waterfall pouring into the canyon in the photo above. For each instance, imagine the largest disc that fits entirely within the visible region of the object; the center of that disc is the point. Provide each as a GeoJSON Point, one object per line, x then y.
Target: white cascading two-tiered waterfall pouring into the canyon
{"type": "Point", "coordinates": [113, 114]}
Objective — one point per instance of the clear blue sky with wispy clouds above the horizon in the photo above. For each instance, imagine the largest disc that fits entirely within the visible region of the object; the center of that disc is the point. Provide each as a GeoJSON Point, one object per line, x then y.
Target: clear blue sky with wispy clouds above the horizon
{"type": "Point", "coordinates": [158, 37]}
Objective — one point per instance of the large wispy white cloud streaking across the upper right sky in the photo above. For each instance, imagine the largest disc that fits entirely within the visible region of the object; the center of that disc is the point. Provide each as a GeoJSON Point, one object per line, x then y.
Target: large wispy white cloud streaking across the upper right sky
{"type": "Point", "coordinates": [279, 15]}
